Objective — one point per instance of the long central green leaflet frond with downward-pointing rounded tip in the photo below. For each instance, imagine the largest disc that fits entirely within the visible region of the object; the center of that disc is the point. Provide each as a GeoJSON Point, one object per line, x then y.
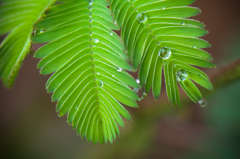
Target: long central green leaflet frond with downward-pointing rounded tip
{"type": "Point", "coordinates": [88, 61]}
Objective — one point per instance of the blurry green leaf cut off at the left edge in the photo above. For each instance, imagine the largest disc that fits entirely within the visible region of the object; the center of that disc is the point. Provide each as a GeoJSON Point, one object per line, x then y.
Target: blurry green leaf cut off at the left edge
{"type": "Point", "coordinates": [17, 18]}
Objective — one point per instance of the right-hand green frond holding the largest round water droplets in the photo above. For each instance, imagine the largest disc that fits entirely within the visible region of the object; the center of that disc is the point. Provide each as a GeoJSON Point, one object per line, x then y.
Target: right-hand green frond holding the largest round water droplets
{"type": "Point", "coordinates": [157, 35]}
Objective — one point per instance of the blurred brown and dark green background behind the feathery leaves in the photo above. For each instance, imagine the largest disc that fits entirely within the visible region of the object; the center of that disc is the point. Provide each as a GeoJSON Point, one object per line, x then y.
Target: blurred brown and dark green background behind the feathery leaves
{"type": "Point", "coordinates": [31, 129]}
